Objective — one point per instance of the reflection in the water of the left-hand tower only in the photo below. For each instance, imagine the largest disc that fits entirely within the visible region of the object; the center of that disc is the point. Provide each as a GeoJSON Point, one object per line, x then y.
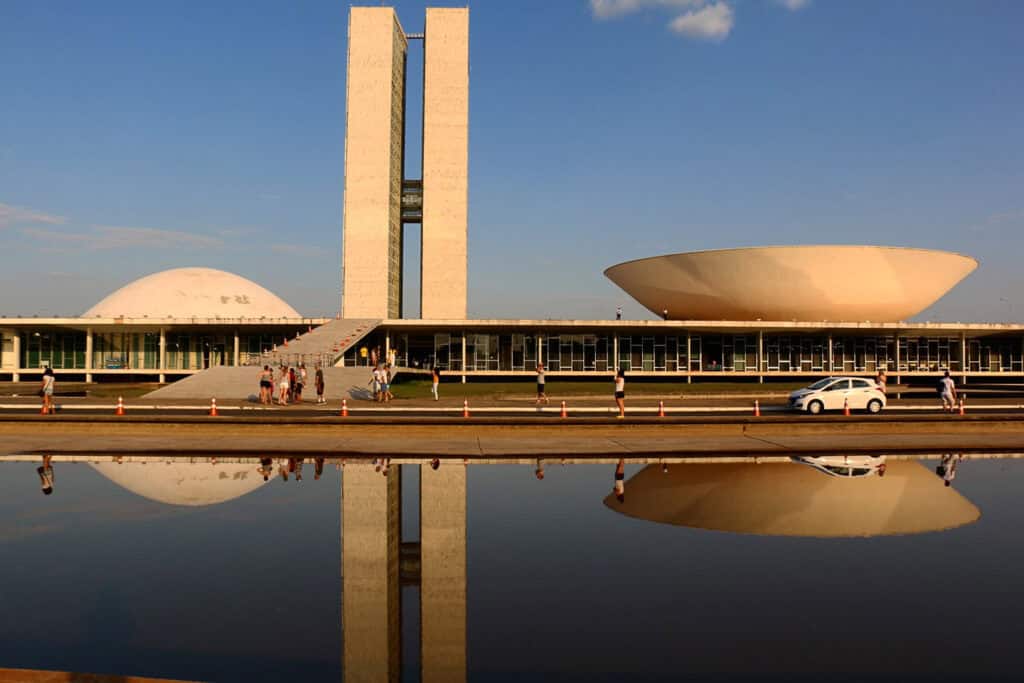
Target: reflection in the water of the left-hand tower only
{"type": "Point", "coordinates": [371, 611]}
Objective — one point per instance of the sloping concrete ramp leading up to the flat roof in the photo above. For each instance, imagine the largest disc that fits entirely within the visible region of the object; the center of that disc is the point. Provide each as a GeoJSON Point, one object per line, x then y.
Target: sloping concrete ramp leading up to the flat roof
{"type": "Point", "coordinates": [322, 347]}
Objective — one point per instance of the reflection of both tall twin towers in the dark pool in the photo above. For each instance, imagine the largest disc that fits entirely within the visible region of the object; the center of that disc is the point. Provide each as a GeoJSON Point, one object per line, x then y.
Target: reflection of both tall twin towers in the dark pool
{"type": "Point", "coordinates": [371, 549]}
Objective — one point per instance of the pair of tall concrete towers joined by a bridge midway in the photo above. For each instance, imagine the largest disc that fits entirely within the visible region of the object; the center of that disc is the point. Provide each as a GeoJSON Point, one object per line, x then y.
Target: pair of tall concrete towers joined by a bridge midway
{"type": "Point", "coordinates": [379, 197]}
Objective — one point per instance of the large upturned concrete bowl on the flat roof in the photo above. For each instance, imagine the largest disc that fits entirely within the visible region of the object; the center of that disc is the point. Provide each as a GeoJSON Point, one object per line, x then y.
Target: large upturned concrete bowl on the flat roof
{"type": "Point", "coordinates": [821, 283]}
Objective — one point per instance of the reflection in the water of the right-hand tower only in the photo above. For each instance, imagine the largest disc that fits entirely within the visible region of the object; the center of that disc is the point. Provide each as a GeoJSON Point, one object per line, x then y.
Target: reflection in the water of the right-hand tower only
{"type": "Point", "coordinates": [443, 574]}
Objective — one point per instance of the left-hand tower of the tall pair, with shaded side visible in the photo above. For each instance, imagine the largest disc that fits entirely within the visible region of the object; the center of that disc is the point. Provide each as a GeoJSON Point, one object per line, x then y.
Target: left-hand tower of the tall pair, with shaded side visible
{"type": "Point", "coordinates": [374, 141]}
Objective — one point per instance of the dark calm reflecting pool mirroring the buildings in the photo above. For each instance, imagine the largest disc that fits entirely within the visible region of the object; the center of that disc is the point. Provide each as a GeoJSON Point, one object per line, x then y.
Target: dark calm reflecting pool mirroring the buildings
{"type": "Point", "coordinates": [697, 571]}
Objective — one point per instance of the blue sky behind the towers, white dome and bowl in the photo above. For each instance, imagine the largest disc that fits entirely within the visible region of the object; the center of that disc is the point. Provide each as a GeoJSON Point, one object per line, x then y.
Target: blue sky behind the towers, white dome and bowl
{"type": "Point", "coordinates": [142, 137]}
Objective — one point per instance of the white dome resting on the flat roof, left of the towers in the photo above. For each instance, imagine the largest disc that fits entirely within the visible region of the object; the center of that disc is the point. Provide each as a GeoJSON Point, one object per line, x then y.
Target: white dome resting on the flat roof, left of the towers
{"type": "Point", "coordinates": [192, 293]}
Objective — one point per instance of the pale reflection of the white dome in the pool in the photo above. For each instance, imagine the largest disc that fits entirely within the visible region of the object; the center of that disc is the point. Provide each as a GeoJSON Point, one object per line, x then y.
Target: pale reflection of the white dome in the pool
{"type": "Point", "coordinates": [184, 484]}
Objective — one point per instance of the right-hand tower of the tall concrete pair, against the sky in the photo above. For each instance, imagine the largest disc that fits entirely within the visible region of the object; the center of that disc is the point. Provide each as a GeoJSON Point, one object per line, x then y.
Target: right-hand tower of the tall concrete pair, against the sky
{"type": "Point", "coordinates": [446, 164]}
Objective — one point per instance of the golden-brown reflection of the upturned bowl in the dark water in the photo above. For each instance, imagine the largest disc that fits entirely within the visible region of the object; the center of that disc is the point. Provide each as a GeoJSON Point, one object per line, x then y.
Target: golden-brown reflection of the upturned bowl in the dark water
{"type": "Point", "coordinates": [795, 500]}
